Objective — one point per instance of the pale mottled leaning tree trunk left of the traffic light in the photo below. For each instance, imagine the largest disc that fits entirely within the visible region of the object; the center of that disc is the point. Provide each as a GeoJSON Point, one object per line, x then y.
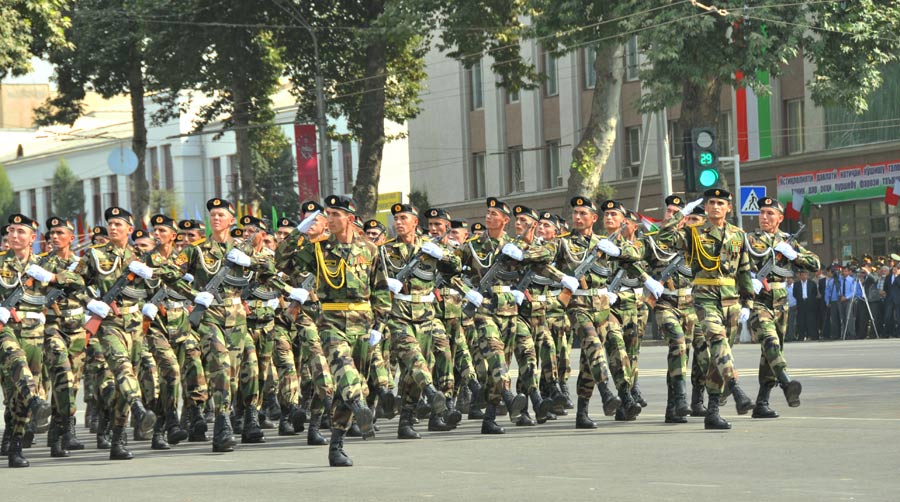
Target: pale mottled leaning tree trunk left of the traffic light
{"type": "Point", "coordinates": [599, 134]}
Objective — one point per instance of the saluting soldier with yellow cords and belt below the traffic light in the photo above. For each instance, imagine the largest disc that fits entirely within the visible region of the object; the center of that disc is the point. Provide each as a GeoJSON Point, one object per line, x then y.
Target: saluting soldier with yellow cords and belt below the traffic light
{"type": "Point", "coordinates": [722, 291]}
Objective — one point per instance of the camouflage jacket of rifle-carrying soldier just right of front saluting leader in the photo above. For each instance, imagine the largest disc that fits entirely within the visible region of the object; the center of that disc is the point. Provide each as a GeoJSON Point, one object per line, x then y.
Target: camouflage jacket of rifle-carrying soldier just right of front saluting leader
{"type": "Point", "coordinates": [393, 257]}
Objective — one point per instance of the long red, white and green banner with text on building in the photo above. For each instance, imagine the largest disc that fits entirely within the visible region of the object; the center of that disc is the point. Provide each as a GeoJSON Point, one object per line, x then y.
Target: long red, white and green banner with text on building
{"type": "Point", "coordinates": [828, 186]}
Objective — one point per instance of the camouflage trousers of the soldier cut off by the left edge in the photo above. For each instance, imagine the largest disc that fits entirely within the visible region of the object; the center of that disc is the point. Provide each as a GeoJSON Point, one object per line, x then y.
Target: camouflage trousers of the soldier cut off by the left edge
{"type": "Point", "coordinates": [18, 382]}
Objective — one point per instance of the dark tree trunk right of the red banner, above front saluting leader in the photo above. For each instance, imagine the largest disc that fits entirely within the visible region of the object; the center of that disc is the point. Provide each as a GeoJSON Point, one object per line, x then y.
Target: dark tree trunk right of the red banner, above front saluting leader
{"type": "Point", "coordinates": [371, 143]}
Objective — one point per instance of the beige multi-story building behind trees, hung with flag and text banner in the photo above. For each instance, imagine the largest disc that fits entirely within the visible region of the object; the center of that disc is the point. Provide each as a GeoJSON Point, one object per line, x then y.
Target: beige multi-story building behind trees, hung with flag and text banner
{"type": "Point", "coordinates": [474, 140]}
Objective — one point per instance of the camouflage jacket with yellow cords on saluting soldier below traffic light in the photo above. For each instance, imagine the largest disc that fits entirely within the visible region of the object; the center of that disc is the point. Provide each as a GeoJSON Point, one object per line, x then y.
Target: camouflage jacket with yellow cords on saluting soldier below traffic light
{"type": "Point", "coordinates": [718, 258]}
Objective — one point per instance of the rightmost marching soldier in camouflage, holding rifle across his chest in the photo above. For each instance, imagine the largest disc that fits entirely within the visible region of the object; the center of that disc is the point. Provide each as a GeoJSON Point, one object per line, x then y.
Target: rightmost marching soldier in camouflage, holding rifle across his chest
{"type": "Point", "coordinates": [770, 309]}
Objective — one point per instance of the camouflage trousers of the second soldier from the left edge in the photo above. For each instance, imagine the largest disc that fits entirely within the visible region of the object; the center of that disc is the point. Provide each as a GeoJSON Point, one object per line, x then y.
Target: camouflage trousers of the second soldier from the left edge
{"type": "Point", "coordinates": [64, 355]}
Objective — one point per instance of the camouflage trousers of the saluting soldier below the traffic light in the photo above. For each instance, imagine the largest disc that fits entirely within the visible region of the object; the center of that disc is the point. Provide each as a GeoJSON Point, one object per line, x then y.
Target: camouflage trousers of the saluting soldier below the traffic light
{"type": "Point", "coordinates": [719, 323]}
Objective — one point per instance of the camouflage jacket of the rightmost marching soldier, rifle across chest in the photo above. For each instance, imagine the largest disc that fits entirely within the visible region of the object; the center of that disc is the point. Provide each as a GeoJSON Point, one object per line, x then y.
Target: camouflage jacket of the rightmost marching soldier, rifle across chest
{"type": "Point", "coordinates": [760, 244]}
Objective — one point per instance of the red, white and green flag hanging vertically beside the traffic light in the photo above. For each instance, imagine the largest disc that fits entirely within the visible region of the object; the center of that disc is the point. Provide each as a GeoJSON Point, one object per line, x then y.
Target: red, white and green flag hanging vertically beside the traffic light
{"type": "Point", "coordinates": [754, 121]}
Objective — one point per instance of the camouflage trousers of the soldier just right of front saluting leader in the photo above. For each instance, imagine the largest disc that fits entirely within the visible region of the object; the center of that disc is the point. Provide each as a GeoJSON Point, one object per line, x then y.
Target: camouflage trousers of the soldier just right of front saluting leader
{"type": "Point", "coordinates": [413, 359]}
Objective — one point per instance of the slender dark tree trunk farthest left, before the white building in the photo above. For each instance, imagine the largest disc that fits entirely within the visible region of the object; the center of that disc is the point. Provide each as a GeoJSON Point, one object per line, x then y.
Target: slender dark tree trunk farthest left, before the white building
{"type": "Point", "coordinates": [140, 189]}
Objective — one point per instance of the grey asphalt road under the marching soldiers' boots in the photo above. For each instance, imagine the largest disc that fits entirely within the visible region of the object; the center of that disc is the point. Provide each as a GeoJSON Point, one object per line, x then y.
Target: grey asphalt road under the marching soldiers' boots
{"type": "Point", "coordinates": [843, 443]}
